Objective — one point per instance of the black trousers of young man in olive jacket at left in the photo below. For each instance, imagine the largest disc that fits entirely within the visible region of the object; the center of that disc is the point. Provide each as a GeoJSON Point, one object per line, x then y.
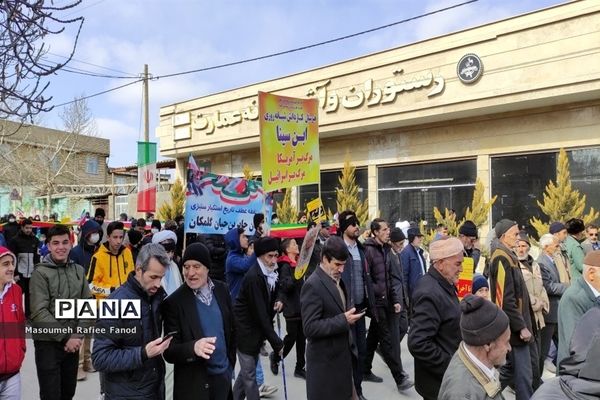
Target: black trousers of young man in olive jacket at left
{"type": "Point", "coordinates": [56, 370]}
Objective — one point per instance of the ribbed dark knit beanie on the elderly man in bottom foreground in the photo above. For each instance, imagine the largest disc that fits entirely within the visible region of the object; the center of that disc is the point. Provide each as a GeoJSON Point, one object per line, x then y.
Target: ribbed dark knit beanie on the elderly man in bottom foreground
{"type": "Point", "coordinates": [481, 321]}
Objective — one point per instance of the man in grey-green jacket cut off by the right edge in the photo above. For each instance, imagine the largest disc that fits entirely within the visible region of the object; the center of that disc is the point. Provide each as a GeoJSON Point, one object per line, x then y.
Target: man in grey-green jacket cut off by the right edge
{"type": "Point", "coordinates": [582, 295]}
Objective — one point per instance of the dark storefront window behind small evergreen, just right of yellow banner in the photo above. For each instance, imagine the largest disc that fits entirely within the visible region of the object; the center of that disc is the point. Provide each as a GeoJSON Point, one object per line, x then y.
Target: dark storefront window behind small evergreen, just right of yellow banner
{"type": "Point", "coordinates": [329, 181]}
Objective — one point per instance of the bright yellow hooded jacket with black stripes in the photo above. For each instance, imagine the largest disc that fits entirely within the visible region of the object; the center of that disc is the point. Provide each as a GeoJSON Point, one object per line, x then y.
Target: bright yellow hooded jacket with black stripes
{"type": "Point", "coordinates": [108, 271]}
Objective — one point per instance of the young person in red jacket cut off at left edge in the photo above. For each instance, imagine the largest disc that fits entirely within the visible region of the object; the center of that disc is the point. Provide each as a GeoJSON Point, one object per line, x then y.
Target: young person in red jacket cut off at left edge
{"type": "Point", "coordinates": [12, 328]}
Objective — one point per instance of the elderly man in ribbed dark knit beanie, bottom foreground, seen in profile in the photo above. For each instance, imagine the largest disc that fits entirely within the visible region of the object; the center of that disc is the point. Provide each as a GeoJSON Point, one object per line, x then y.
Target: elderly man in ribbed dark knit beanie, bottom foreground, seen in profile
{"type": "Point", "coordinates": [472, 372]}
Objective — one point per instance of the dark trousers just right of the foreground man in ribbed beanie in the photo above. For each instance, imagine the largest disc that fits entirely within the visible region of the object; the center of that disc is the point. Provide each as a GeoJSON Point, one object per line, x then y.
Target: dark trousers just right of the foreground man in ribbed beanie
{"type": "Point", "coordinates": [518, 372]}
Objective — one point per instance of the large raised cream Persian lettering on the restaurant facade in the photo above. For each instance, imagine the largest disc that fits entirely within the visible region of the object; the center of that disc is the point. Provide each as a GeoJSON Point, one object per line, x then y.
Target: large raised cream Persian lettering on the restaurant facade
{"type": "Point", "coordinates": [369, 93]}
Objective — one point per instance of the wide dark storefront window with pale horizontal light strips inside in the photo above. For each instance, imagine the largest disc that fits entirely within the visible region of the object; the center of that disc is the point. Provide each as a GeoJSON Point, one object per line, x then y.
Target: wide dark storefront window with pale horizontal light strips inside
{"type": "Point", "coordinates": [410, 192]}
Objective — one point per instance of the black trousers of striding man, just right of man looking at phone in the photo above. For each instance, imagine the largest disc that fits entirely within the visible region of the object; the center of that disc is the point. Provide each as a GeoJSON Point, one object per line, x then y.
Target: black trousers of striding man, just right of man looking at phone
{"type": "Point", "coordinates": [383, 332]}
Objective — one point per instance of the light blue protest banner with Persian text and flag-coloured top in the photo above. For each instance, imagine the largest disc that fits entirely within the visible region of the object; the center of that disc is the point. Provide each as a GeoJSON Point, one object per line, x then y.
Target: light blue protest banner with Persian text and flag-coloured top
{"type": "Point", "coordinates": [218, 203]}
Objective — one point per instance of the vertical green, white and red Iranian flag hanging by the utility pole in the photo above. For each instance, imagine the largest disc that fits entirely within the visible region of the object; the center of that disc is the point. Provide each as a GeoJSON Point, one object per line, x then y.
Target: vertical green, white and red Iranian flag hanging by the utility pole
{"type": "Point", "coordinates": [146, 176]}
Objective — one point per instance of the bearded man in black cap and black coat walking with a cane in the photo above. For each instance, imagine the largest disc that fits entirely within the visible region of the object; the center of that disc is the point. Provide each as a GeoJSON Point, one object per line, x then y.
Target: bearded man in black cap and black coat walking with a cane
{"type": "Point", "coordinates": [254, 310]}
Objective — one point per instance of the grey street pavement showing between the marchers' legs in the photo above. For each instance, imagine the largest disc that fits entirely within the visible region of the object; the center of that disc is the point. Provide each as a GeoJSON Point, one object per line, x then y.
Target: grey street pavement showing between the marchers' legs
{"type": "Point", "coordinates": [296, 389]}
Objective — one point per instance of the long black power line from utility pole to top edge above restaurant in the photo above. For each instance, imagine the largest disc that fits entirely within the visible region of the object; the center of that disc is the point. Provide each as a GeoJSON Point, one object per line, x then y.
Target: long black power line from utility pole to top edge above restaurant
{"type": "Point", "coordinates": [310, 46]}
